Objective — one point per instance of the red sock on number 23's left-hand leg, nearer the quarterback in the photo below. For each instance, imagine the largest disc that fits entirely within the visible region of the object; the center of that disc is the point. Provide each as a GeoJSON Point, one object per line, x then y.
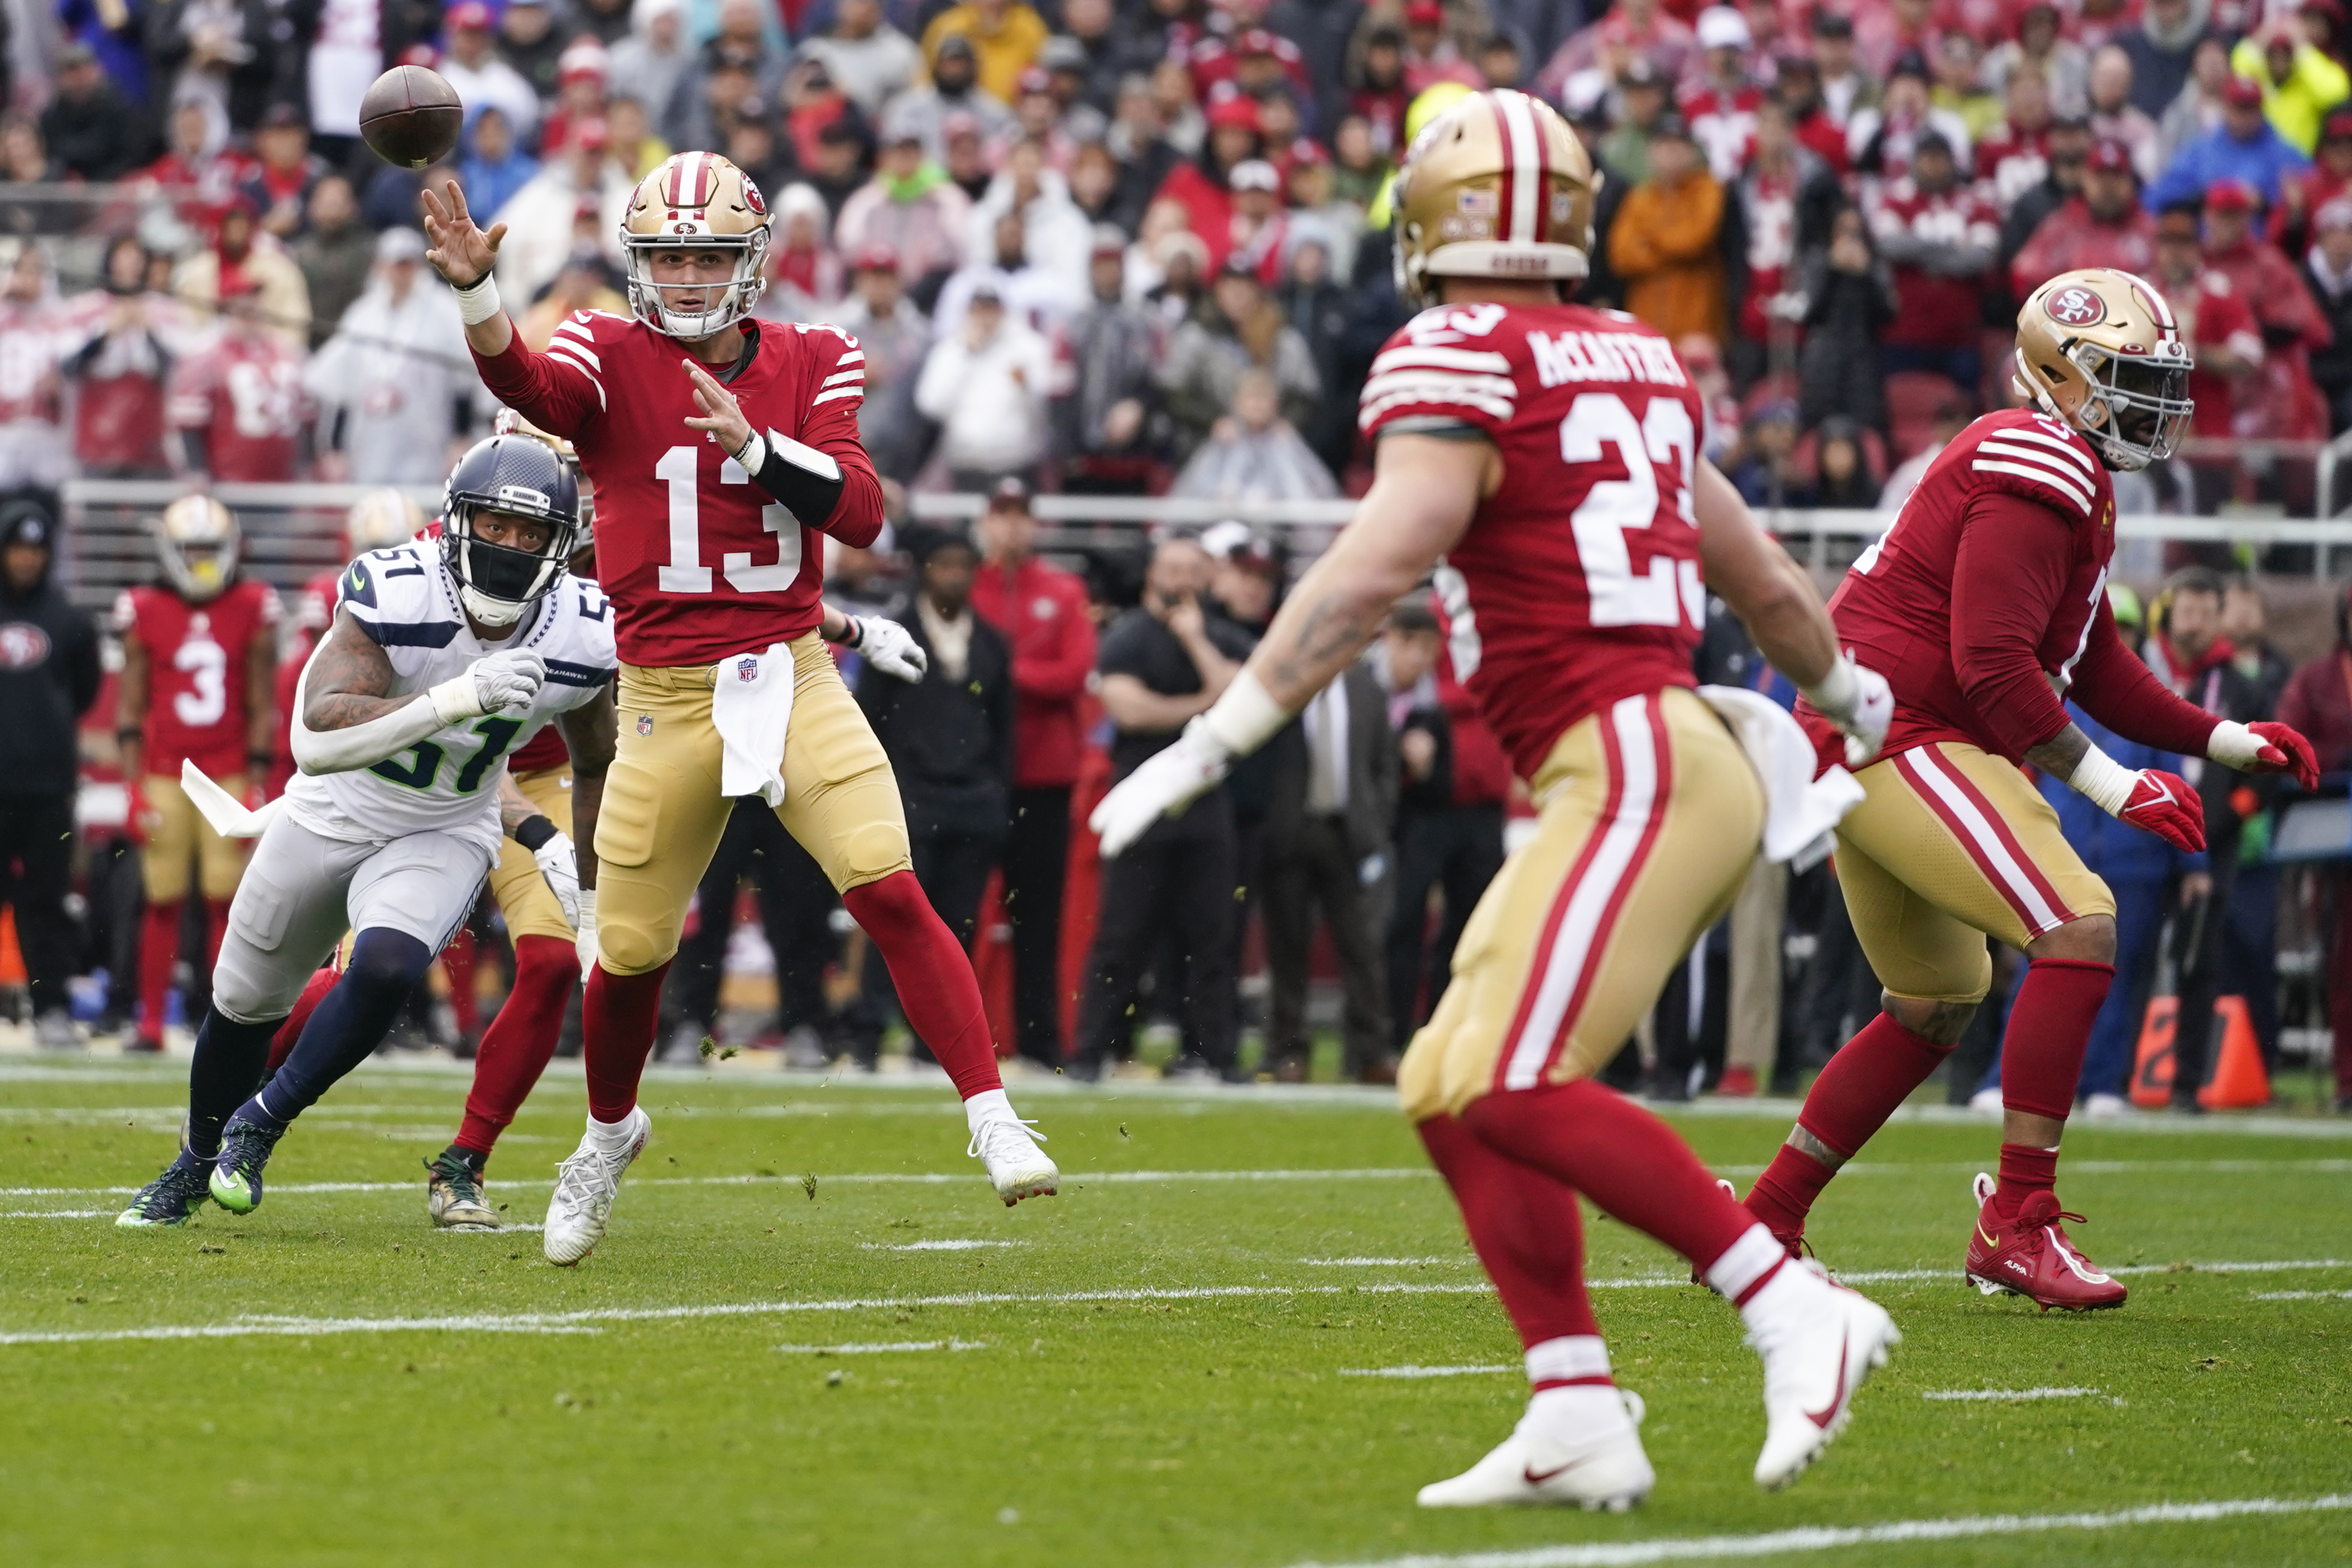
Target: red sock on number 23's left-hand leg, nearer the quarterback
{"type": "Point", "coordinates": [1528, 1235]}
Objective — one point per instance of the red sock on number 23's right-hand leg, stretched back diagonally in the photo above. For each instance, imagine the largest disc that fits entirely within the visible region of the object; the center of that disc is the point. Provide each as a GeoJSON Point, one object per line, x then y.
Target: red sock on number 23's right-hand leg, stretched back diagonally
{"type": "Point", "coordinates": [1622, 1158]}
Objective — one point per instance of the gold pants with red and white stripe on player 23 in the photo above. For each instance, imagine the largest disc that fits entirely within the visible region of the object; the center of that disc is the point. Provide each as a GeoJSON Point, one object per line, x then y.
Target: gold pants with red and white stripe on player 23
{"type": "Point", "coordinates": [1650, 822]}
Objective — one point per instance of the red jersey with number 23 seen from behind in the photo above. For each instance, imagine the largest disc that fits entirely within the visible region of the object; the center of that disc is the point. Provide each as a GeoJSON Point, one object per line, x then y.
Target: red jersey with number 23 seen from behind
{"type": "Point", "coordinates": [1579, 579]}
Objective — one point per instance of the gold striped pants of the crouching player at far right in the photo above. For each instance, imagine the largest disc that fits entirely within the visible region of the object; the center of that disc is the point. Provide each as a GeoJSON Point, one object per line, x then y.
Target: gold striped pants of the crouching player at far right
{"type": "Point", "coordinates": [1949, 847]}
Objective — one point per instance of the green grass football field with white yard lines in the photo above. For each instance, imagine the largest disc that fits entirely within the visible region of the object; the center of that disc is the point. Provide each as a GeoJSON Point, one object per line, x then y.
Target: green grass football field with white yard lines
{"type": "Point", "coordinates": [1151, 1369]}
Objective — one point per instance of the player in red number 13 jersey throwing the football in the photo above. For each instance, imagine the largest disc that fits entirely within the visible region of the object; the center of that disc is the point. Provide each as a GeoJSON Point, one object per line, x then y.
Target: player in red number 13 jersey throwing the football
{"type": "Point", "coordinates": [721, 453]}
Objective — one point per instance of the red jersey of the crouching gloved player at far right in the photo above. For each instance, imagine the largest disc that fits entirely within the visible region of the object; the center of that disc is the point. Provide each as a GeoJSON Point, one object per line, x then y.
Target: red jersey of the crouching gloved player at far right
{"type": "Point", "coordinates": [1895, 610]}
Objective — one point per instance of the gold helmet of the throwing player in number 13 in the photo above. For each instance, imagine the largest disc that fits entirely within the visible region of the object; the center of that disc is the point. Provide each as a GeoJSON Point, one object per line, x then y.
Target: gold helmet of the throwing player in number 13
{"type": "Point", "coordinates": [697, 203]}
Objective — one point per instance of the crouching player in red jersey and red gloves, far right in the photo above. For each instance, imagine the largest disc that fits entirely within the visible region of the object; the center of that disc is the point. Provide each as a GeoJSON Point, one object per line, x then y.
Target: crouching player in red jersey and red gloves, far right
{"type": "Point", "coordinates": [1986, 605]}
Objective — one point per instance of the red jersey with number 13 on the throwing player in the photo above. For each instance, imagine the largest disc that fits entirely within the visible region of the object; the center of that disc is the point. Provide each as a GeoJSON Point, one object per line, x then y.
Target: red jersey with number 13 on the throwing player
{"type": "Point", "coordinates": [695, 556]}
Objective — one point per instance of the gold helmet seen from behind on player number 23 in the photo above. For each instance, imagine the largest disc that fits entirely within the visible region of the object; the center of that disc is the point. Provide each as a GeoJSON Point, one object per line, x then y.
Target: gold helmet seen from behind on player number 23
{"type": "Point", "coordinates": [1497, 187]}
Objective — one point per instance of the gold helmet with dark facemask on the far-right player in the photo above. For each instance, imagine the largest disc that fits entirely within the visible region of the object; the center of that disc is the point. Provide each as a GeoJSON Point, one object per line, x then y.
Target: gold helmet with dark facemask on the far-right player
{"type": "Point", "coordinates": [2102, 351]}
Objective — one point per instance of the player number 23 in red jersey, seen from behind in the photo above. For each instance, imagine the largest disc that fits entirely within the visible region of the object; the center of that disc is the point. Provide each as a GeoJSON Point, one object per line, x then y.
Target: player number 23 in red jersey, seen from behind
{"type": "Point", "coordinates": [1544, 460]}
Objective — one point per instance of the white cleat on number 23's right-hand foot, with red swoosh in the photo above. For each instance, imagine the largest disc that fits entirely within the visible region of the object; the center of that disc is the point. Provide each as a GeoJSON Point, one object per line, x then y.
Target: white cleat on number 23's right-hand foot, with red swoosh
{"type": "Point", "coordinates": [1819, 1343]}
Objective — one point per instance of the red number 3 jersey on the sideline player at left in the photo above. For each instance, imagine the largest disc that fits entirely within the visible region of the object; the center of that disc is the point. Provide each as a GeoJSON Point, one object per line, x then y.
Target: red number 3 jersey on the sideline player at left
{"type": "Point", "coordinates": [196, 671]}
